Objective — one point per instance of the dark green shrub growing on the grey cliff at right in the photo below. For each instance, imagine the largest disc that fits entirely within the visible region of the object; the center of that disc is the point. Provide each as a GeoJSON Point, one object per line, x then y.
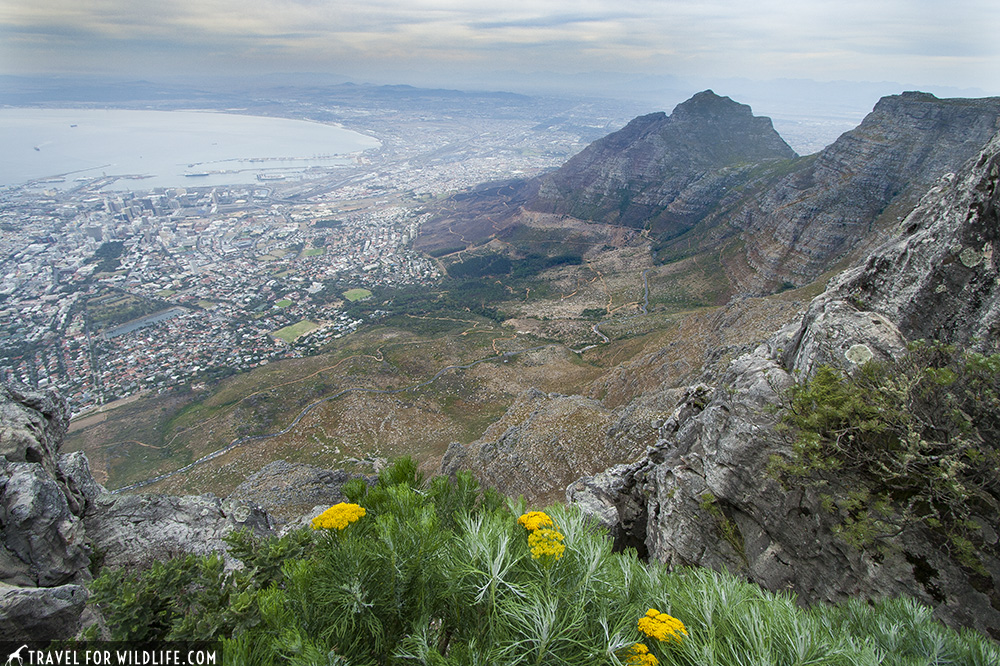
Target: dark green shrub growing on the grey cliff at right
{"type": "Point", "coordinates": [919, 439]}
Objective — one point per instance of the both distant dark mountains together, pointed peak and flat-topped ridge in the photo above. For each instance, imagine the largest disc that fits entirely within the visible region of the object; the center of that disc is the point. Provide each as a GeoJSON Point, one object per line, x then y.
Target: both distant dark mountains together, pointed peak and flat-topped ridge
{"type": "Point", "coordinates": [711, 178]}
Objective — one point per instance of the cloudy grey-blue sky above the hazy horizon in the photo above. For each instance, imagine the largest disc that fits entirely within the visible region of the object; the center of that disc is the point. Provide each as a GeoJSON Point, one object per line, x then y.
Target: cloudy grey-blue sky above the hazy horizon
{"type": "Point", "coordinates": [922, 42]}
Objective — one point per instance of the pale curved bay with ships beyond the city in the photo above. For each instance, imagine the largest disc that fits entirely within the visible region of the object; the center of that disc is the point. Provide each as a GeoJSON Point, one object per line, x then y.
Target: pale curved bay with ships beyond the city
{"type": "Point", "coordinates": [164, 147]}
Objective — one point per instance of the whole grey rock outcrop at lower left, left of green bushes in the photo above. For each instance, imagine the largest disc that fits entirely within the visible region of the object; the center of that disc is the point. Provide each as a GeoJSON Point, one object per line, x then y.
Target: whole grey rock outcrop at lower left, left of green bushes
{"type": "Point", "coordinates": [55, 520]}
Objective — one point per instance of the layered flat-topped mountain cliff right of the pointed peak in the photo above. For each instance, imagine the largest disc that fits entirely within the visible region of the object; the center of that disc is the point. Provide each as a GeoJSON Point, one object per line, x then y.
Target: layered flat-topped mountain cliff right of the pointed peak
{"type": "Point", "coordinates": [799, 227]}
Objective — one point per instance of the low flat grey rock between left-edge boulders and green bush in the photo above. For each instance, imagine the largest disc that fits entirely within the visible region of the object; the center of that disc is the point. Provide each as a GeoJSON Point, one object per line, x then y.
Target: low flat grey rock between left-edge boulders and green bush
{"type": "Point", "coordinates": [134, 530]}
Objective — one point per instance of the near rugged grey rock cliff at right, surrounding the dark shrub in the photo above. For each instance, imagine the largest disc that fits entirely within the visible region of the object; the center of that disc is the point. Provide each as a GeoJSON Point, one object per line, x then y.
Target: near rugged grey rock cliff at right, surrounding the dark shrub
{"type": "Point", "coordinates": [701, 495]}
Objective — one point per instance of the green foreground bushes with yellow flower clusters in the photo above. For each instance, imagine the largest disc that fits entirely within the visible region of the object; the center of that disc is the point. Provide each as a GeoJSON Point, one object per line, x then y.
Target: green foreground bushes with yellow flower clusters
{"type": "Point", "coordinates": [443, 573]}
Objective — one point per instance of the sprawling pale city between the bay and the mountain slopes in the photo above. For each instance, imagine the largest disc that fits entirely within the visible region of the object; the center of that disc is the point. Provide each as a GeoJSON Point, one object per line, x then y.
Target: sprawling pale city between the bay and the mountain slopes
{"type": "Point", "coordinates": [106, 293]}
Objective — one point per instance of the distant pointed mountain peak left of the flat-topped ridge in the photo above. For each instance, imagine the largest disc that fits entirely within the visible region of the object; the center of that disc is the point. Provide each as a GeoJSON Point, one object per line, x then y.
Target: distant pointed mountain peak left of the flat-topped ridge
{"type": "Point", "coordinates": [664, 172]}
